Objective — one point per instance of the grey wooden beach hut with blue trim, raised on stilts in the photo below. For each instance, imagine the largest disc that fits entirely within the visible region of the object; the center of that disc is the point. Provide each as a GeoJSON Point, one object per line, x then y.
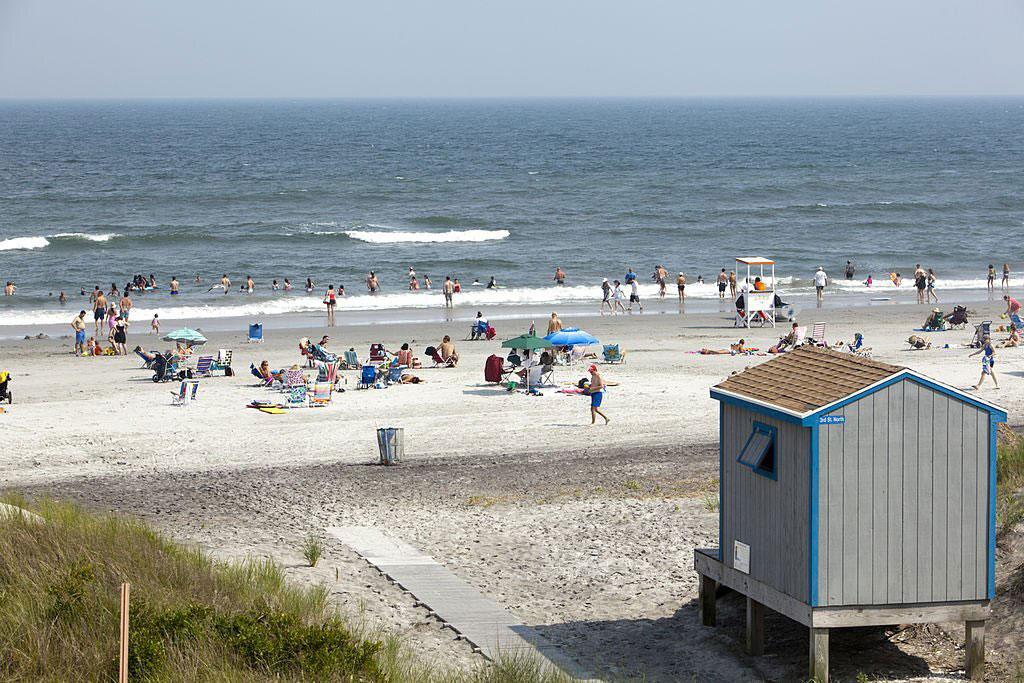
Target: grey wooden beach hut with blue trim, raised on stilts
{"type": "Point", "coordinates": [854, 493]}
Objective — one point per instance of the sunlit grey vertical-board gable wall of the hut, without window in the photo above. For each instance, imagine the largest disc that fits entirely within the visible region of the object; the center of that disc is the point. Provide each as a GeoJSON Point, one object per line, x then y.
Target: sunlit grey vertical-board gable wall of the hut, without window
{"type": "Point", "coordinates": [903, 509]}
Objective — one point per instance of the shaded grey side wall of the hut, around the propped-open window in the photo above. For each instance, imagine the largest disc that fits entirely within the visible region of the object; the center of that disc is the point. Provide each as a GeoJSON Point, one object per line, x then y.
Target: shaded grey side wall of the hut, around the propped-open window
{"type": "Point", "coordinates": [770, 516]}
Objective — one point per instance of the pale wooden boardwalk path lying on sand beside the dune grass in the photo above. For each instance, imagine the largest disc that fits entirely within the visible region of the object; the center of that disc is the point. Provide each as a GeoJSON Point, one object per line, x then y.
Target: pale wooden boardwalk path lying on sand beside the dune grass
{"type": "Point", "coordinates": [480, 620]}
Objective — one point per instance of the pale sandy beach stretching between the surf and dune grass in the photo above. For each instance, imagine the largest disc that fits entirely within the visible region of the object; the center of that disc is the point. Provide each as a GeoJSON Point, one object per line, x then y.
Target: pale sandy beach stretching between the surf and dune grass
{"type": "Point", "coordinates": [587, 533]}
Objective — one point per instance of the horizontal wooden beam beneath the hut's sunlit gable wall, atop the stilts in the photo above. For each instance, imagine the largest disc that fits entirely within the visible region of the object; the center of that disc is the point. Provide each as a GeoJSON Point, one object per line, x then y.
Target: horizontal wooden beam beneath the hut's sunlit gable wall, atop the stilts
{"type": "Point", "coordinates": [938, 613]}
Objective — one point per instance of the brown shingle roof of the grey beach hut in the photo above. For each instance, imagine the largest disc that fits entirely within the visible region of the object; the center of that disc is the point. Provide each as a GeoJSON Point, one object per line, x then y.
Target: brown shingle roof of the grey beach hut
{"type": "Point", "coordinates": [808, 378]}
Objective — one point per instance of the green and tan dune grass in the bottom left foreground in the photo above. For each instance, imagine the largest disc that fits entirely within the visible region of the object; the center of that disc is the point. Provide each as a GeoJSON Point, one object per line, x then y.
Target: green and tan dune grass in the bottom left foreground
{"type": "Point", "coordinates": [192, 618]}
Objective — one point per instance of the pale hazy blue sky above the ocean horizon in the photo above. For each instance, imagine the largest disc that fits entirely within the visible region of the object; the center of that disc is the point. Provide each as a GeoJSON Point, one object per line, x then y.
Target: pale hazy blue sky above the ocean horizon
{"type": "Point", "coordinates": [479, 49]}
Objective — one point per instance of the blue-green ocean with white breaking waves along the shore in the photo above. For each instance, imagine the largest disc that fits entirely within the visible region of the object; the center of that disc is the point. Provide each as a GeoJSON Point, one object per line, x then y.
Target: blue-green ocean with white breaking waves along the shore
{"type": "Point", "coordinates": [95, 193]}
